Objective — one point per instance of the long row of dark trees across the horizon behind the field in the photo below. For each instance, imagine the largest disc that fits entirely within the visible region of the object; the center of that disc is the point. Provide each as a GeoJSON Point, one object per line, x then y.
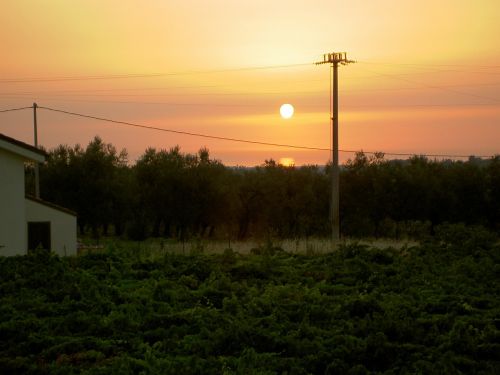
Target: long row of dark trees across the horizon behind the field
{"type": "Point", "coordinates": [168, 193]}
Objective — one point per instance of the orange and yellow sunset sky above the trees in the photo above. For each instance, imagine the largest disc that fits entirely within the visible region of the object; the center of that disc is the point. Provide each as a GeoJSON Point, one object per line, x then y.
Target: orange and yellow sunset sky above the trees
{"type": "Point", "coordinates": [426, 81]}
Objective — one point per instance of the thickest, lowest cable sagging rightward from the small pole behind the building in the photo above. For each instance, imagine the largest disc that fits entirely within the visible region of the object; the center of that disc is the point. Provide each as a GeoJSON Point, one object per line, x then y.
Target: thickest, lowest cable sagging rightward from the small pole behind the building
{"type": "Point", "coordinates": [250, 141]}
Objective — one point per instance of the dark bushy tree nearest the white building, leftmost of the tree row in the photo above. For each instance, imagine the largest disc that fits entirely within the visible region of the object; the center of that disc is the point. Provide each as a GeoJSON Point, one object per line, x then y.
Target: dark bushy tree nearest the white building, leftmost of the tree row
{"type": "Point", "coordinates": [86, 182]}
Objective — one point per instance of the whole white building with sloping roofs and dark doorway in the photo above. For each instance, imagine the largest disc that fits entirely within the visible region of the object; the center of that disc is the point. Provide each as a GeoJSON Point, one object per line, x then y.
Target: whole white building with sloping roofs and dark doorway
{"type": "Point", "coordinates": [26, 222]}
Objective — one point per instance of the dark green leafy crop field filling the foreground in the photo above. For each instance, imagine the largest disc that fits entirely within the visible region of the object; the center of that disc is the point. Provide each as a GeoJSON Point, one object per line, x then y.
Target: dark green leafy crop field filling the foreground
{"type": "Point", "coordinates": [423, 308]}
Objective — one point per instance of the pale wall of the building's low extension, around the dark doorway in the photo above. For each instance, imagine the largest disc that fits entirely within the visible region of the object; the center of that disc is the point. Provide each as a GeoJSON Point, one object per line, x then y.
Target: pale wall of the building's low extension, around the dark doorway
{"type": "Point", "coordinates": [62, 226]}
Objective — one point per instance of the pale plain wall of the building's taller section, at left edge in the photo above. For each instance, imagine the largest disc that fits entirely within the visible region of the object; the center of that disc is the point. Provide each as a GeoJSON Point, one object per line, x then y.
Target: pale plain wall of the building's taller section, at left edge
{"type": "Point", "coordinates": [13, 240]}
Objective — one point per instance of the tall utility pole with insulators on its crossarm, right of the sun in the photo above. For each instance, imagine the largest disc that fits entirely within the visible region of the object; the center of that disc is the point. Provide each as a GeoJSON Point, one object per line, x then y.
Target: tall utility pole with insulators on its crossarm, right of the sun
{"type": "Point", "coordinates": [335, 59]}
